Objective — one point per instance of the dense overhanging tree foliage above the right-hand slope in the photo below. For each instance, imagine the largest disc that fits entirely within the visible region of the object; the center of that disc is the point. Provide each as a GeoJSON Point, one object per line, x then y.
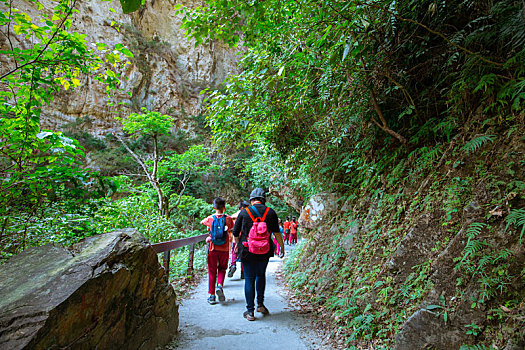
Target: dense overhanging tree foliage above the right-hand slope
{"type": "Point", "coordinates": [334, 87]}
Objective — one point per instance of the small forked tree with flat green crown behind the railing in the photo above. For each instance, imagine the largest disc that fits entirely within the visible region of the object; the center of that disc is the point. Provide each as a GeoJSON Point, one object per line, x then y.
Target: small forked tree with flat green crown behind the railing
{"type": "Point", "coordinates": [181, 166]}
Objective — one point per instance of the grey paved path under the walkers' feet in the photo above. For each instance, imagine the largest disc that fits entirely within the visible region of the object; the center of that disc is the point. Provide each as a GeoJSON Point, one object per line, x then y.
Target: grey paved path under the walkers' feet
{"type": "Point", "coordinates": [222, 326]}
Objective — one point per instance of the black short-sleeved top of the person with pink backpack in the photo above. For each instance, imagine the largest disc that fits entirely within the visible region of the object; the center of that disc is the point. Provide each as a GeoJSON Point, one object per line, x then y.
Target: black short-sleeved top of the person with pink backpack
{"type": "Point", "coordinates": [243, 225]}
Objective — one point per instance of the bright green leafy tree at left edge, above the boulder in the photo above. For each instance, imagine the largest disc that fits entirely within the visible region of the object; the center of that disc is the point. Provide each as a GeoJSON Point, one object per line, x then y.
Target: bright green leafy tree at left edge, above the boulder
{"type": "Point", "coordinates": [39, 57]}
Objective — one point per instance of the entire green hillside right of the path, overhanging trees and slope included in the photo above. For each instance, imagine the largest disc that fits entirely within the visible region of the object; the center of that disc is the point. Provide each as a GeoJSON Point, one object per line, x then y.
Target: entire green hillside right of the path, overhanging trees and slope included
{"type": "Point", "coordinates": [411, 112]}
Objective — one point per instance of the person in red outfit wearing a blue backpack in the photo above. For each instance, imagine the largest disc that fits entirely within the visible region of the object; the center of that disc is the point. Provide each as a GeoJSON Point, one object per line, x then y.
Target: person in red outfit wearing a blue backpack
{"type": "Point", "coordinates": [220, 226]}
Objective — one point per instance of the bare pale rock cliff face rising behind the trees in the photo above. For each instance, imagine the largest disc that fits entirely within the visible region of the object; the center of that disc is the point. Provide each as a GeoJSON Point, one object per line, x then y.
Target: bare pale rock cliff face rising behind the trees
{"type": "Point", "coordinates": [166, 74]}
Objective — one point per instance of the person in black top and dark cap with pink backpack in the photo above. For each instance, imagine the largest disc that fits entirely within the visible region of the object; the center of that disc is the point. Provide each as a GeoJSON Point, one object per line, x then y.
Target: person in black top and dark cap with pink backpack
{"type": "Point", "coordinates": [252, 234]}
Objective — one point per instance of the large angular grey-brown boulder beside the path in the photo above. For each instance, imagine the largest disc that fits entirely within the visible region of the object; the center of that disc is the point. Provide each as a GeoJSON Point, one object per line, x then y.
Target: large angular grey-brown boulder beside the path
{"type": "Point", "coordinates": [107, 292]}
